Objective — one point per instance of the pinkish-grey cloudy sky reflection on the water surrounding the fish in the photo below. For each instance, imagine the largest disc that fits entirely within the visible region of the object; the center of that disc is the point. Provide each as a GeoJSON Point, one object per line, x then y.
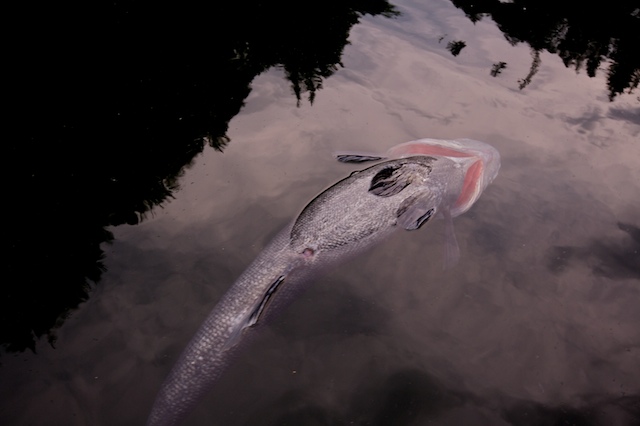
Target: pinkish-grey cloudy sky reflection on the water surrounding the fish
{"type": "Point", "coordinates": [539, 321]}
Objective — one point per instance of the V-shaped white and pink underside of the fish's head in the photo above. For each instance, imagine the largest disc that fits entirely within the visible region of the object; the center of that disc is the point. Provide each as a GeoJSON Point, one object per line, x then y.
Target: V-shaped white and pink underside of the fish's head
{"type": "Point", "coordinates": [480, 163]}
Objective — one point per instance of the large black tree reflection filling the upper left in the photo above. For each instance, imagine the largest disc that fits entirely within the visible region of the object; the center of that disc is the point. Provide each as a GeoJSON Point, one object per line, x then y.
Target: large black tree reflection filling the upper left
{"type": "Point", "coordinates": [111, 104]}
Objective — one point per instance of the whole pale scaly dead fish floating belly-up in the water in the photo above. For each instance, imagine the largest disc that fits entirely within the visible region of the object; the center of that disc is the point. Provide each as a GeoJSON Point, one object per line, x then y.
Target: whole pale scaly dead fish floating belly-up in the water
{"type": "Point", "coordinates": [415, 182]}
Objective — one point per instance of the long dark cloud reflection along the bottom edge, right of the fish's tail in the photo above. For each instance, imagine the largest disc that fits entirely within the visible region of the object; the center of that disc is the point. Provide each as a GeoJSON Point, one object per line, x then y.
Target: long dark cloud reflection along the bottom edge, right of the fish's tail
{"type": "Point", "coordinates": [413, 397]}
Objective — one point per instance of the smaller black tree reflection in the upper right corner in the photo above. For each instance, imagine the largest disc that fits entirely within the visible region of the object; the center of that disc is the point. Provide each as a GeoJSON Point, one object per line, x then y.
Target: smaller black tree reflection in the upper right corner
{"type": "Point", "coordinates": [589, 36]}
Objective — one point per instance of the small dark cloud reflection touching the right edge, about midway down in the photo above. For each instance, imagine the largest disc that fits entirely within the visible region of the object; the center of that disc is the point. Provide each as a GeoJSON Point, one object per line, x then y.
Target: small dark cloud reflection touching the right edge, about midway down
{"type": "Point", "coordinates": [611, 259]}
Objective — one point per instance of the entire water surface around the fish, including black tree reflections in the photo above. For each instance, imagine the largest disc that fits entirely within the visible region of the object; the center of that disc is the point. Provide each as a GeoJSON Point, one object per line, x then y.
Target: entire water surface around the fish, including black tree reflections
{"type": "Point", "coordinates": [537, 325]}
